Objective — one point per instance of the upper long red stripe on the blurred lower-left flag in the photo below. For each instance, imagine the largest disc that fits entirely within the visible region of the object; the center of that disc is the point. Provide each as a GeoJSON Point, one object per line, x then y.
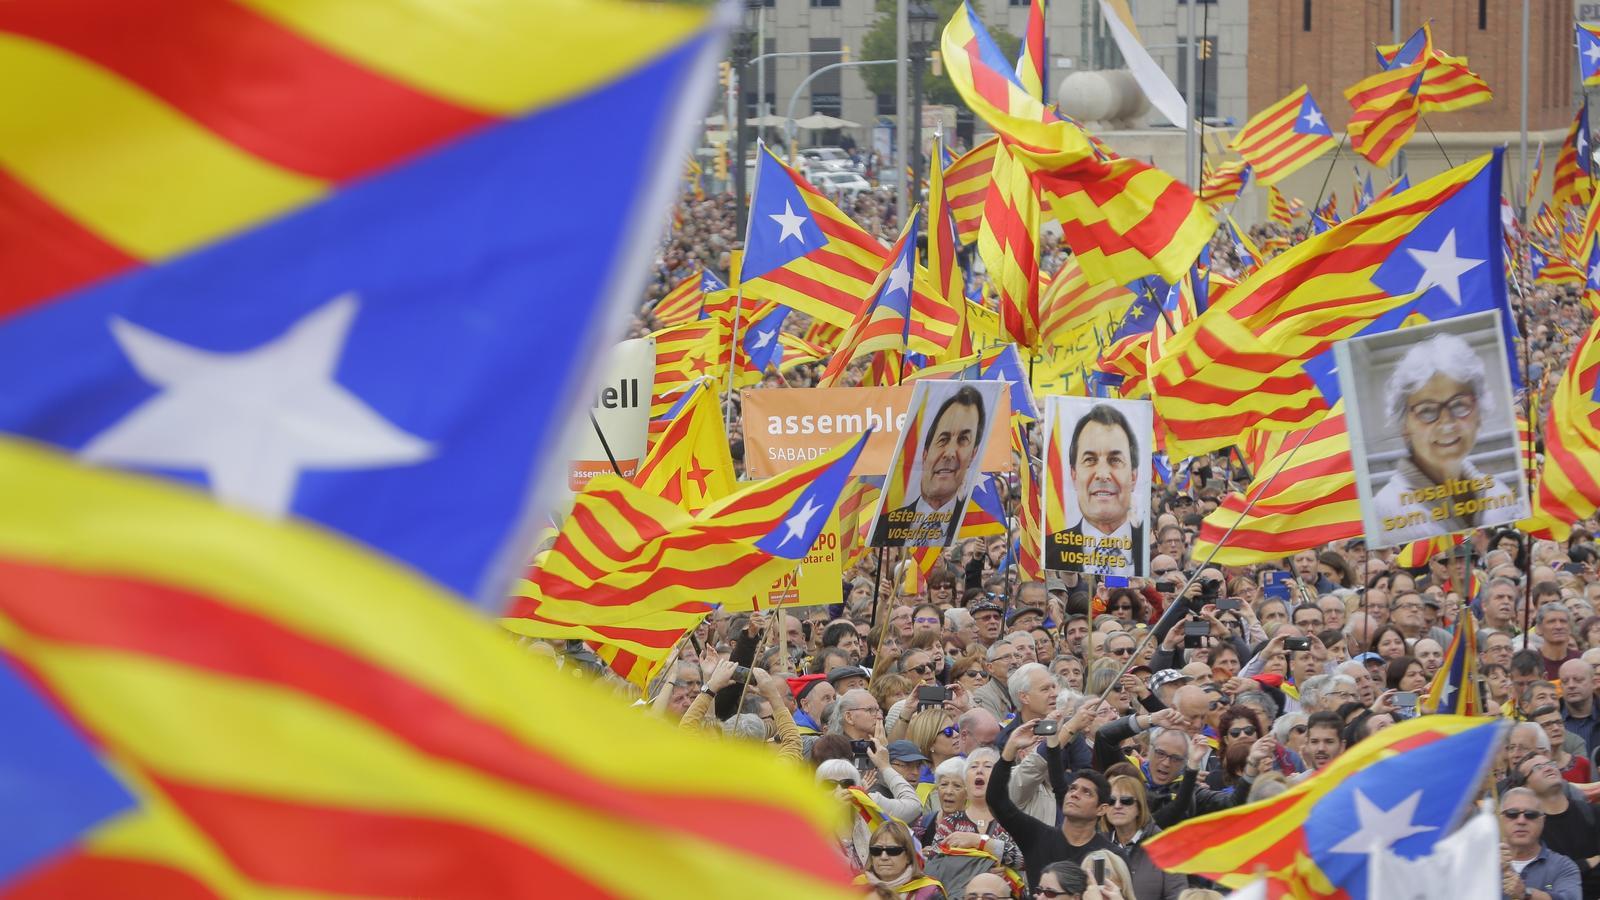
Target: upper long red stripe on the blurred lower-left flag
{"type": "Point", "coordinates": [140, 617]}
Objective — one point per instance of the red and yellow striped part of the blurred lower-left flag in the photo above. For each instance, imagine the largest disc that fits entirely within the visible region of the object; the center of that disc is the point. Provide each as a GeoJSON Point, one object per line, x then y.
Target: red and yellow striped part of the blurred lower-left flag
{"type": "Point", "coordinates": [346, 726]}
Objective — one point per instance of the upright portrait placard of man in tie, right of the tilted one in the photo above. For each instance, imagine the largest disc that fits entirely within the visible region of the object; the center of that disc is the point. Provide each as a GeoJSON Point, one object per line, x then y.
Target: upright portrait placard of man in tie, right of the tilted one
{"type": "Point", "coordinates": [1097, 486]}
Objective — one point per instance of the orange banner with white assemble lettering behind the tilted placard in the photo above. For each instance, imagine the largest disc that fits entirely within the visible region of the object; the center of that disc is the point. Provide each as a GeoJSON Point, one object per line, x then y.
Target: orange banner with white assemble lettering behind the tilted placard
{"type": "Point", "coordinates": [785, 428]}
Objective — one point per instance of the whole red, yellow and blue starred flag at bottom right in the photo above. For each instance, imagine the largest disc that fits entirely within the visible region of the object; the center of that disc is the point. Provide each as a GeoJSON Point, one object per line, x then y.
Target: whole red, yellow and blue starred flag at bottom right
{"type": "Point", "coordinates": [1401, 790]}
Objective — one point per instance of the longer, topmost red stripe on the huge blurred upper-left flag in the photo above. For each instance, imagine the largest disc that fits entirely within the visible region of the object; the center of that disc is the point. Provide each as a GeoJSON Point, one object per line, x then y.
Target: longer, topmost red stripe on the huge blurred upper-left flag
{"type": "Point", "coordinates": [322, 116]}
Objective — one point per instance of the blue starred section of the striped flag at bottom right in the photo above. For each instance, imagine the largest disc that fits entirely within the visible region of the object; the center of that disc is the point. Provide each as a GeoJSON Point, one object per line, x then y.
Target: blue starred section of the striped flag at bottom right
{"type": "Point", "coordinates": [1404, 805]}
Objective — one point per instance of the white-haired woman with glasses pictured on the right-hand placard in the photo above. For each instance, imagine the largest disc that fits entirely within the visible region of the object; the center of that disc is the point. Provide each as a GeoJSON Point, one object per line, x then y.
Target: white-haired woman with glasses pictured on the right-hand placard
{"type": "Point", "coordinates": [1438, 401]}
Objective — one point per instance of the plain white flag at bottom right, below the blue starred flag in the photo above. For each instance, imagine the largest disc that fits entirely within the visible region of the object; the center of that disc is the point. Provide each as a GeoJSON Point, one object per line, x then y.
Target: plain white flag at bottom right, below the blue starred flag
{"type": "Point", "coordinates": [1462, 867]}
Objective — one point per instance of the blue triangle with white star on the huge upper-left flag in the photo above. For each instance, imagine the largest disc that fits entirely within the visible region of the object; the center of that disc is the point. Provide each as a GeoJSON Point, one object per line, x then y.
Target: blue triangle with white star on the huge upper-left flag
{"type": "Point", "coordinates": [396, 361]}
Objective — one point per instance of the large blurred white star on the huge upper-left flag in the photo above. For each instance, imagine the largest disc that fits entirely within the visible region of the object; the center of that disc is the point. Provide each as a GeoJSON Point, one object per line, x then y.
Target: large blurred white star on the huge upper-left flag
{"type": "Point", "coordinates": [254, 420]}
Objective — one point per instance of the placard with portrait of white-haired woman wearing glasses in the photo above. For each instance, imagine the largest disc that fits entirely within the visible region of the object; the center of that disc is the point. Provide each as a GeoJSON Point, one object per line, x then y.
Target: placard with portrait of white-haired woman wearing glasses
{"type": "Point", "coordinates": [1433, 430]}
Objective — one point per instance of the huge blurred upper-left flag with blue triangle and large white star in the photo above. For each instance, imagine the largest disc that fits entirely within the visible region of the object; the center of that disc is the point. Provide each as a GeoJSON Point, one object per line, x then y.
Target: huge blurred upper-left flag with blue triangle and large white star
{"type": "Point", "coordinates": [322, 287]}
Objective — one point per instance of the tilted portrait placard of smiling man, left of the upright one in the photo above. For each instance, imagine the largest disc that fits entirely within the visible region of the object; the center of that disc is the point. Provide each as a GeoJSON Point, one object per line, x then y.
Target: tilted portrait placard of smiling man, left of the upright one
{"type": "Point", "coordinates": [935, 465]}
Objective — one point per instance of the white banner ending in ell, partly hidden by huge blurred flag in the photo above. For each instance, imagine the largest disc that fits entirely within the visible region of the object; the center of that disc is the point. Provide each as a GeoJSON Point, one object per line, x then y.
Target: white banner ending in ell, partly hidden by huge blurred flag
{"type": "Point", "coordinates": [622, 414]}
